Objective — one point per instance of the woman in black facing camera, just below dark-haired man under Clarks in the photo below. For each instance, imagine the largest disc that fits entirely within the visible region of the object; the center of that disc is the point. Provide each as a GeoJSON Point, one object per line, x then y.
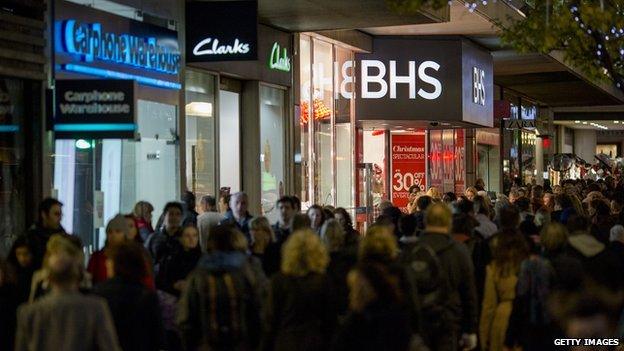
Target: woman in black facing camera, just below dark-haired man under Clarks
{"type": "Point", "coordinates": [177, 264]}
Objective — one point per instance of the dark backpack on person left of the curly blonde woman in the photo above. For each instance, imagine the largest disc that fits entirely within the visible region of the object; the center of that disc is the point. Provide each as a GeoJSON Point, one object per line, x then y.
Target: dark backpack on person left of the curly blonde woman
{"type": "Point", "coordinates": [224, 310]}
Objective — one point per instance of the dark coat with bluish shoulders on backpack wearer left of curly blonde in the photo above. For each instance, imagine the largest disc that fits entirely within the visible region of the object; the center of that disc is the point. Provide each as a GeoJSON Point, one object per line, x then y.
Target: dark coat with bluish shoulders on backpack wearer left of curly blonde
{"type": "Point", "coordinates": [195, 309]}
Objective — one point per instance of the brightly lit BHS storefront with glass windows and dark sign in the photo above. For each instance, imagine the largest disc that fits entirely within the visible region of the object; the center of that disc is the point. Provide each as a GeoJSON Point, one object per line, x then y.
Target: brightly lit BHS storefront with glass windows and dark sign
{"type": "Point", "coordinates": [373, 124]}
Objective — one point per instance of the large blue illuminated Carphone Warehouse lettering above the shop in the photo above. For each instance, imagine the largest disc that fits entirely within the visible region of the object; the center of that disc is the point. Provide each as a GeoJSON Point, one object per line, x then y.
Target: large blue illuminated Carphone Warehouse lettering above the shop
{"type": "Point", "coordinates": [91, 41]}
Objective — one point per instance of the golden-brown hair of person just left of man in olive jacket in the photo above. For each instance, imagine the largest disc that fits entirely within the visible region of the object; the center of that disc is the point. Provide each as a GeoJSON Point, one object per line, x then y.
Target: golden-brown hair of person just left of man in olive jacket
{"type": "Point", "coordinates": [378, 244]}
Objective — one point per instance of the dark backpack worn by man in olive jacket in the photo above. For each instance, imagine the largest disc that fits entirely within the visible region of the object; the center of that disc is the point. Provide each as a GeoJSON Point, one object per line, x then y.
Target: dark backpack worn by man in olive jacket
{"type": "Point", "coordinates": [426, 272]}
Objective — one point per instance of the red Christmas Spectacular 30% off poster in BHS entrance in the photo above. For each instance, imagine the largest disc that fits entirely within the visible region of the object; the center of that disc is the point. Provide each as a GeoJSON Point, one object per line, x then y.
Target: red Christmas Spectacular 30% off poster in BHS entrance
{"type": "Point", "coordinates": [407, 165]}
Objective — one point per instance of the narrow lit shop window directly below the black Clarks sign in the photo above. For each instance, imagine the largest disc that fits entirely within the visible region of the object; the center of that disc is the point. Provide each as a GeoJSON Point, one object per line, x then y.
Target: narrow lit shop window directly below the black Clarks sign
{"type": "Point", "coordinates": [200, 133]}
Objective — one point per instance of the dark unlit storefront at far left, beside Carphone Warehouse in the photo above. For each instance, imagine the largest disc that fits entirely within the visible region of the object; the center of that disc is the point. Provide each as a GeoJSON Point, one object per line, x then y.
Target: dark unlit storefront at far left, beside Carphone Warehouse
{"type": "Point", "coordinates": [23, 75]}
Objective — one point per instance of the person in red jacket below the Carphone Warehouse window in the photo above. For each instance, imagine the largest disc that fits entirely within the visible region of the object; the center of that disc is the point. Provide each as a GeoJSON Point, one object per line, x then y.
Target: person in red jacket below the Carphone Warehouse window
{"type": "Point", "coordinates": [116, 234]}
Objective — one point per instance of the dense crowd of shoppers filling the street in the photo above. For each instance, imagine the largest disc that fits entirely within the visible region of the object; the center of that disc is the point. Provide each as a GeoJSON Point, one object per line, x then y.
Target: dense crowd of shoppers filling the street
{"type": "Point", "coordinates": [448, 272]}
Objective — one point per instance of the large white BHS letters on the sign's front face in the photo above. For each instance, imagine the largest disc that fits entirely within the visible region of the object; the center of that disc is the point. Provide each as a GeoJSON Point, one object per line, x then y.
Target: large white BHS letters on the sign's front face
{"type": "Point", "coordinates": [394, 79]}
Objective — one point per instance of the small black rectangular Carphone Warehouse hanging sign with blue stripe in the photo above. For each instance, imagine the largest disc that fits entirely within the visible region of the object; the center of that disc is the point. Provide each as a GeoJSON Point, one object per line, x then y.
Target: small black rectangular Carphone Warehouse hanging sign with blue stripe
{"type": "Point", "coordinates": [94, 109]}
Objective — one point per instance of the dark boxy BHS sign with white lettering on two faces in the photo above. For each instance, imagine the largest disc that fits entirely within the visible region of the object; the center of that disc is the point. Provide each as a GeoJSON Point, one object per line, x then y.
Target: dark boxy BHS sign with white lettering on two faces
{"type": "Point", "coordinates": [424, 80]}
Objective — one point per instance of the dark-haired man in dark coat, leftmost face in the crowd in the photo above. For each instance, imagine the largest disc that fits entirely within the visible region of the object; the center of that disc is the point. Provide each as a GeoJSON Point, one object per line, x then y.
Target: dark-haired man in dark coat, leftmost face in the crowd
{"type": "Point", "coordinates": [48, 223]}
